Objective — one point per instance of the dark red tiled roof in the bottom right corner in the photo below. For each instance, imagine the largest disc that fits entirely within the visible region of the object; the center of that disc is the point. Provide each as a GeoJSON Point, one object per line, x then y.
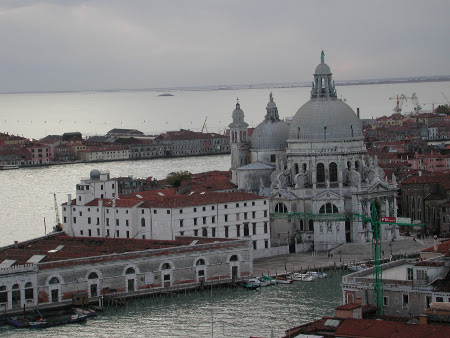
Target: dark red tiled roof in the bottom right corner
{"type": "Point", "coordinates": [382, 328]}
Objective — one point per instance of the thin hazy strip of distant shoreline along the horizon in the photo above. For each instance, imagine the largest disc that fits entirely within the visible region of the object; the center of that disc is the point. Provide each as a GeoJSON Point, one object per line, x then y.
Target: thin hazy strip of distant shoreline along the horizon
{"type": "Point", "coordinates": [166, 91]}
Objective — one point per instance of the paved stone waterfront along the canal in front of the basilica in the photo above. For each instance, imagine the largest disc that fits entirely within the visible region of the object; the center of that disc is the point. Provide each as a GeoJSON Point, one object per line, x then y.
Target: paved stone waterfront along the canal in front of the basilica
{"type": "Point", "coordinates": [341, 256]}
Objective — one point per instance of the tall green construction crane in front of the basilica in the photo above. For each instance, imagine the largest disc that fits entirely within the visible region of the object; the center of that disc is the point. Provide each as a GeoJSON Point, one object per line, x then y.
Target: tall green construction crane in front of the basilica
{"type": "Point", "coordinates": [377, 258]}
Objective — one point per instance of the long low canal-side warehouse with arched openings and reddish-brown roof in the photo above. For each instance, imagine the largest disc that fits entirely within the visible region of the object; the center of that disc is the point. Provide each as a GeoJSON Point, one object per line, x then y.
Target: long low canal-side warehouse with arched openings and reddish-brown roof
{"type": "Point", "coordinates": [70, 265]}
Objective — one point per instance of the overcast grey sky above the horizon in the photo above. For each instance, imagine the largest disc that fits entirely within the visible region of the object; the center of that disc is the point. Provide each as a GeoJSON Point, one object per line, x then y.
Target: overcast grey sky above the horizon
{"type": "Point", "coordinates": [75, 45]}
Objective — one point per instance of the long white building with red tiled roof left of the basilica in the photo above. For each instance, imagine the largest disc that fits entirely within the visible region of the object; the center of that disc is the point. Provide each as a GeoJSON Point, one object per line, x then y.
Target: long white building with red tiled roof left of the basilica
{"type": "Point", "coordinates": [98, 211]}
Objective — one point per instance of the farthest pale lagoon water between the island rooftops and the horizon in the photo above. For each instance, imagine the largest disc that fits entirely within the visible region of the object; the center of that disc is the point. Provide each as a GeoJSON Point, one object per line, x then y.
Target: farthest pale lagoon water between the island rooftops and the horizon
{"type": "Point", "coordinates": [91, 113]}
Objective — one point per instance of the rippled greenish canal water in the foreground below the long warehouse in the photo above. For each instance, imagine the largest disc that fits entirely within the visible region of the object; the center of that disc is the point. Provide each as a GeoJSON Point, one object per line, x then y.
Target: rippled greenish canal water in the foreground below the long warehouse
{"type": "Point", "coordinates": [234, 313]}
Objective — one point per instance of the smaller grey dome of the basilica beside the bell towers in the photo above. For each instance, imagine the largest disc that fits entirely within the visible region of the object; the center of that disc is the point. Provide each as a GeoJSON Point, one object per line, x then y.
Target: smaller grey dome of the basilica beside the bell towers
{"type": "Point", "coordinates": [270, 135]}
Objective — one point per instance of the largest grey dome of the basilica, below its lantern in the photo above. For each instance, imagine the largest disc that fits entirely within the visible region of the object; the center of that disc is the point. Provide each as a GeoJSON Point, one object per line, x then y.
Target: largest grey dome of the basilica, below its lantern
{"type": "Point", "coordinates": [325, 119]}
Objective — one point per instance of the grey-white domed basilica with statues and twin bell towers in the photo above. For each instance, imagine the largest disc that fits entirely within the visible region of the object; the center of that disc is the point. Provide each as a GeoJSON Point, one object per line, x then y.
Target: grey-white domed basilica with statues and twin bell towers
{"type": "Point", "coordinates": [315, 165]}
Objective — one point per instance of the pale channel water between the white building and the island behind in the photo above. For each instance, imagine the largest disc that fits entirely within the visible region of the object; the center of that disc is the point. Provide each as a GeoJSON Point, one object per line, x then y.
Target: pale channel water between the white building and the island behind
{"type": "Point", "coordinates": [26, 196]}
